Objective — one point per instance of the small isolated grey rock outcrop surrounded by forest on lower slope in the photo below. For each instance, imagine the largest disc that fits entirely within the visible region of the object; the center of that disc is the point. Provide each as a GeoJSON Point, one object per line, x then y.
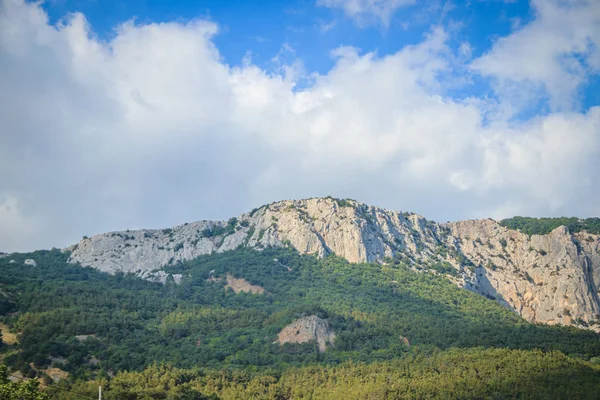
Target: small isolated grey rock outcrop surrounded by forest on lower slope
{"type": "Point", "coordinates": [305, 329]}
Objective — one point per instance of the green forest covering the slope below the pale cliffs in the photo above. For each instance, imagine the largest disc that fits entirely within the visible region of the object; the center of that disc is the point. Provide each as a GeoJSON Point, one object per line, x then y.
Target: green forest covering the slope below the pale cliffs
{"type": "Point", "coordinates": [199, 339]}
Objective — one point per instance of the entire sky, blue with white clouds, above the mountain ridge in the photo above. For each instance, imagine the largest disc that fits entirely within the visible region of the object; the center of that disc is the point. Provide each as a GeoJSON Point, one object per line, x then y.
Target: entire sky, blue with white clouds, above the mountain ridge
{"type": "Point", "coordinates": [151, 113]}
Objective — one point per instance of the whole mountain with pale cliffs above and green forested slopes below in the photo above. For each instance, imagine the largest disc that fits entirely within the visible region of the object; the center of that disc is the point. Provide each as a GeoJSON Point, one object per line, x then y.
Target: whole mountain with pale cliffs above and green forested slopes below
{"type": "Point", "coordinates": [321, 298]}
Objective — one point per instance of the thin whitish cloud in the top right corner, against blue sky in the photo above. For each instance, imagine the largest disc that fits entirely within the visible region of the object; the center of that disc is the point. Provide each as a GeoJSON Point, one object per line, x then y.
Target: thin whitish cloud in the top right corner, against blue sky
{"type": "Point", "coordinates": [552, 56]}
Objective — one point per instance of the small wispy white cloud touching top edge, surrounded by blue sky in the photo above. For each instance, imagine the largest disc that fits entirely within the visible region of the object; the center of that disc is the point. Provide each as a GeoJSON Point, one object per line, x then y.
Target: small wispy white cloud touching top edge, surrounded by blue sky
{"type": "Point", "coordinates": [365, 12]}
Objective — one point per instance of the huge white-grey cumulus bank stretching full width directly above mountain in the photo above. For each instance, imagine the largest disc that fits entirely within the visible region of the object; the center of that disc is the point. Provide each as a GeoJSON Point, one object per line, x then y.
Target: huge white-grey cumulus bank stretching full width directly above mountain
{"type": "Point", "coordinates": [152, 129]}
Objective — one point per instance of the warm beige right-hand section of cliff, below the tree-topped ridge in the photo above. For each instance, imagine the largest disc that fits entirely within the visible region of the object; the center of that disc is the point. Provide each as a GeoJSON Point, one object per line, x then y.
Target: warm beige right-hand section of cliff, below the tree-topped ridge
{"type": "Point", "coordinates": [545, 278]}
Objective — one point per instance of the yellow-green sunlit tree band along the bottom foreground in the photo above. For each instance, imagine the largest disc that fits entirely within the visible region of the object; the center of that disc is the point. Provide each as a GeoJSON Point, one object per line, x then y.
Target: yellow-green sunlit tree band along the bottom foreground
{"type": "Point", "coordinates": [455, 373]}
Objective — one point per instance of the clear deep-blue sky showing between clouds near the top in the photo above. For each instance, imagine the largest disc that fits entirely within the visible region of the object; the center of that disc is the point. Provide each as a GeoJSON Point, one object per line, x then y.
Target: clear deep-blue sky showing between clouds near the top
{"type": "Point", "coordinates": [308, 31]}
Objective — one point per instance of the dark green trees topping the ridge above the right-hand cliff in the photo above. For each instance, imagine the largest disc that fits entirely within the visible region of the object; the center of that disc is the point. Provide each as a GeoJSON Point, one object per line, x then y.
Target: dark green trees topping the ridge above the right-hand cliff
{"type": "Point", "coordinates": [543, 226]}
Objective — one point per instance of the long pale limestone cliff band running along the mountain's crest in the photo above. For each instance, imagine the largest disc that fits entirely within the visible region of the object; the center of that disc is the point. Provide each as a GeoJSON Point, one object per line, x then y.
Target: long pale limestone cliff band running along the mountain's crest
{"type": "Point", "coordinates": [545, 278]}
